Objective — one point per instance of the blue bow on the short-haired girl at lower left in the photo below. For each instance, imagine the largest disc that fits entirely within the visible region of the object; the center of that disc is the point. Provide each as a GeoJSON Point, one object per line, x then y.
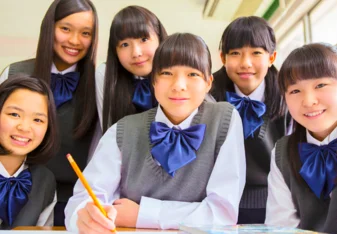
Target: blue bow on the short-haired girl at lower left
{"type": "Point", "coordinates": [14, 195]}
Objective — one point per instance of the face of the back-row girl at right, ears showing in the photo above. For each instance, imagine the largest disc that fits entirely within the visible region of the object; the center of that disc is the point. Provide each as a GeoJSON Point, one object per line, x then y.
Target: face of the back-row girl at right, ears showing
{"type": "Point", "coordinates": [247, 66]}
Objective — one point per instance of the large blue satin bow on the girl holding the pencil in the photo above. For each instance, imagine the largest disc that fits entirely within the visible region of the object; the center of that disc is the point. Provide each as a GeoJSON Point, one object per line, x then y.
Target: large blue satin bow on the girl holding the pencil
{"type": "Point", "coordinates": [175, 148]}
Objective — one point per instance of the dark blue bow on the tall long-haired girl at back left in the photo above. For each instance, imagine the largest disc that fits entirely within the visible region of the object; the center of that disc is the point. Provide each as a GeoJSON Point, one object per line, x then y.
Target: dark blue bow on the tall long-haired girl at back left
{"type": "Point", "coordinates": [63, 86]}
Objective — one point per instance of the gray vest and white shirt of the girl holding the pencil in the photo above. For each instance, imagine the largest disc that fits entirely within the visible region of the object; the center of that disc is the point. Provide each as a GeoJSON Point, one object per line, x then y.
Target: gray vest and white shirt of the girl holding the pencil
{"type": "Point", "coordinates": [205, 191]}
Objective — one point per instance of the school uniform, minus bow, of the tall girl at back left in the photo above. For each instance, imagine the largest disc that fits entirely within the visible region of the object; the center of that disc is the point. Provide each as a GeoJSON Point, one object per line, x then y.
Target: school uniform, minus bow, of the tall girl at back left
{"type": "Point", "coordinates": [81, 149]}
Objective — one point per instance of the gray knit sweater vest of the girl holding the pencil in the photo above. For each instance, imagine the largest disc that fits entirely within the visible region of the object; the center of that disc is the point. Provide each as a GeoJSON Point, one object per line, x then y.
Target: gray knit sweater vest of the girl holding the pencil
{"type": "Point", "coordinates": [141, 175]}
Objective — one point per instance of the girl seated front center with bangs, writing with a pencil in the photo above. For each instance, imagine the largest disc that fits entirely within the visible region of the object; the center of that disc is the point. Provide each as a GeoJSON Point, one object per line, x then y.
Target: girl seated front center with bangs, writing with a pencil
{"type": "Point", "coordinates": [174, 155]}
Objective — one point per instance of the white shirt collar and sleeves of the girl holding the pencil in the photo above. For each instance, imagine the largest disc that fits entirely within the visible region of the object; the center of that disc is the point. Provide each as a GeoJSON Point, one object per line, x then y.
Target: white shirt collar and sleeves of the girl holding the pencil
{"type": "Point", "coordinates": [224, 188]}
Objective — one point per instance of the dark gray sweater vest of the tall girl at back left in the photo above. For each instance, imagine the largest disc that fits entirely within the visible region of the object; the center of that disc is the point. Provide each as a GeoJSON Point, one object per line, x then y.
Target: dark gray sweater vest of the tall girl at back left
{"type": "Point", "coordinates": [78, 148]}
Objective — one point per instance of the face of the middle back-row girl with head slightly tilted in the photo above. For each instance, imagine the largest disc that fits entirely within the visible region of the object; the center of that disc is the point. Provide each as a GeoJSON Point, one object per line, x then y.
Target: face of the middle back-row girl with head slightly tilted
{"type": "Point", "coordinates": [136, 54]}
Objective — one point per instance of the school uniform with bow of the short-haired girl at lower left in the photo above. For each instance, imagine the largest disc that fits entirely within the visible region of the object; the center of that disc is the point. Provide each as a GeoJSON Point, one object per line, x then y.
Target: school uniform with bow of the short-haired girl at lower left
{"type": "Point", "coordinates": [37, 209]}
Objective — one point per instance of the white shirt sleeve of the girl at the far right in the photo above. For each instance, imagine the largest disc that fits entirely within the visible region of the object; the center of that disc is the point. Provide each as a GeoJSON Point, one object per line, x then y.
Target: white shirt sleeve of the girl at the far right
{"type": "Point", "coordinates": [280, 207]}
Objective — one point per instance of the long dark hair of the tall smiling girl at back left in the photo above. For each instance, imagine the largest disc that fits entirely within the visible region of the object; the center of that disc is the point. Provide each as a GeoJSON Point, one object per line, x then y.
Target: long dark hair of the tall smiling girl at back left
{"type": "Point", "coordinates": [85, 109]}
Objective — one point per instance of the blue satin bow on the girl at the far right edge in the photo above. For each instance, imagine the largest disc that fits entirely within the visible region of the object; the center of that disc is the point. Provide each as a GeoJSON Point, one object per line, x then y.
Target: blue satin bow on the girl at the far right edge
{"type": "Point", "coordinates": [319, 166]}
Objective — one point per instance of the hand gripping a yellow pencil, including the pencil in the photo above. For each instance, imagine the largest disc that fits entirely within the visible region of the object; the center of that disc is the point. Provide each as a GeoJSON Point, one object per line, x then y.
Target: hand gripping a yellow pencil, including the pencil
{"type": "Point", "coordinates": [93, 216]}
